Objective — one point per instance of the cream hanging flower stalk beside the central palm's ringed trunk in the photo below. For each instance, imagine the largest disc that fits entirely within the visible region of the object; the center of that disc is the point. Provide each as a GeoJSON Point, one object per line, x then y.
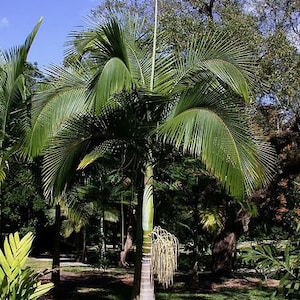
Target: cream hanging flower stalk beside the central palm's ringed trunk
{"type": "Point", "coordinates": [165, 250]}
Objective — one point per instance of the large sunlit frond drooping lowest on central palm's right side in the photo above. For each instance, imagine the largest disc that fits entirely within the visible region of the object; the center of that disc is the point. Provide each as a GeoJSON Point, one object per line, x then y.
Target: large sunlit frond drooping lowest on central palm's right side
{"type": "Point", "coordinates": [208, 126]}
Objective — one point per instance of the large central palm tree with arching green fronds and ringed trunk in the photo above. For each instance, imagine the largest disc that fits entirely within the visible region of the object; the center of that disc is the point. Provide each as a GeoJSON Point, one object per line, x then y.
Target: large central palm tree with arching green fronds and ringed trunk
{"type": "Point", "coordinates": [127, 91]}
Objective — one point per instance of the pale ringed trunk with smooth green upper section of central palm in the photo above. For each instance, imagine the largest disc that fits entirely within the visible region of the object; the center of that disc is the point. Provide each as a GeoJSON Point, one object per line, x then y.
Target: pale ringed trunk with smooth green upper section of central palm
{"type": "Point", "coordinates": [147, 284]}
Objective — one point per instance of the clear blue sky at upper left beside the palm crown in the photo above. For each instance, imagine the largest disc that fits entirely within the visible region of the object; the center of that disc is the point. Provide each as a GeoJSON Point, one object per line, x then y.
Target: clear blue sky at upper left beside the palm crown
{"type": "Point", "coordinates": [60, 17]}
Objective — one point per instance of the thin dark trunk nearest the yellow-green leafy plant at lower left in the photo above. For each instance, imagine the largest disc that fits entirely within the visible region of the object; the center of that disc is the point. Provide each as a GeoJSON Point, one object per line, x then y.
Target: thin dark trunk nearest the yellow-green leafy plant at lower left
{"type": "Point", "coordinates": [55, 277]}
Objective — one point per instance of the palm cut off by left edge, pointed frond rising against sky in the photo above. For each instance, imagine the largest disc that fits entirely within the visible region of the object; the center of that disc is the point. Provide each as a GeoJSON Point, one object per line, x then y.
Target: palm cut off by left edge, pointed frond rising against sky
{"type": "Point", "coordinates": [13, 98]}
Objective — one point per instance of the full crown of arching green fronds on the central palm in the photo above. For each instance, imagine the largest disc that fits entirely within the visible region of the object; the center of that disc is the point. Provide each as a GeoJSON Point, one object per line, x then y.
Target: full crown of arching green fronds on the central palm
{"type": "Point", "coordinates": [198, 64]}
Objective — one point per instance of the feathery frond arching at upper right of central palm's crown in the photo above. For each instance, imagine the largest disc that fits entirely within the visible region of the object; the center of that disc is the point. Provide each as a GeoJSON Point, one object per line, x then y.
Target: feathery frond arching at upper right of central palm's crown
{"type": "Point", "coordinates": [222, 56]}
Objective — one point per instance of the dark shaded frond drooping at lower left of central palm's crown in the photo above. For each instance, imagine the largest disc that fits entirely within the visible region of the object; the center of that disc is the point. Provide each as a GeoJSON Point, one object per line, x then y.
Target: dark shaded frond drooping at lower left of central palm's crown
{"type": "Point", "coordinates": [74, 144]}
